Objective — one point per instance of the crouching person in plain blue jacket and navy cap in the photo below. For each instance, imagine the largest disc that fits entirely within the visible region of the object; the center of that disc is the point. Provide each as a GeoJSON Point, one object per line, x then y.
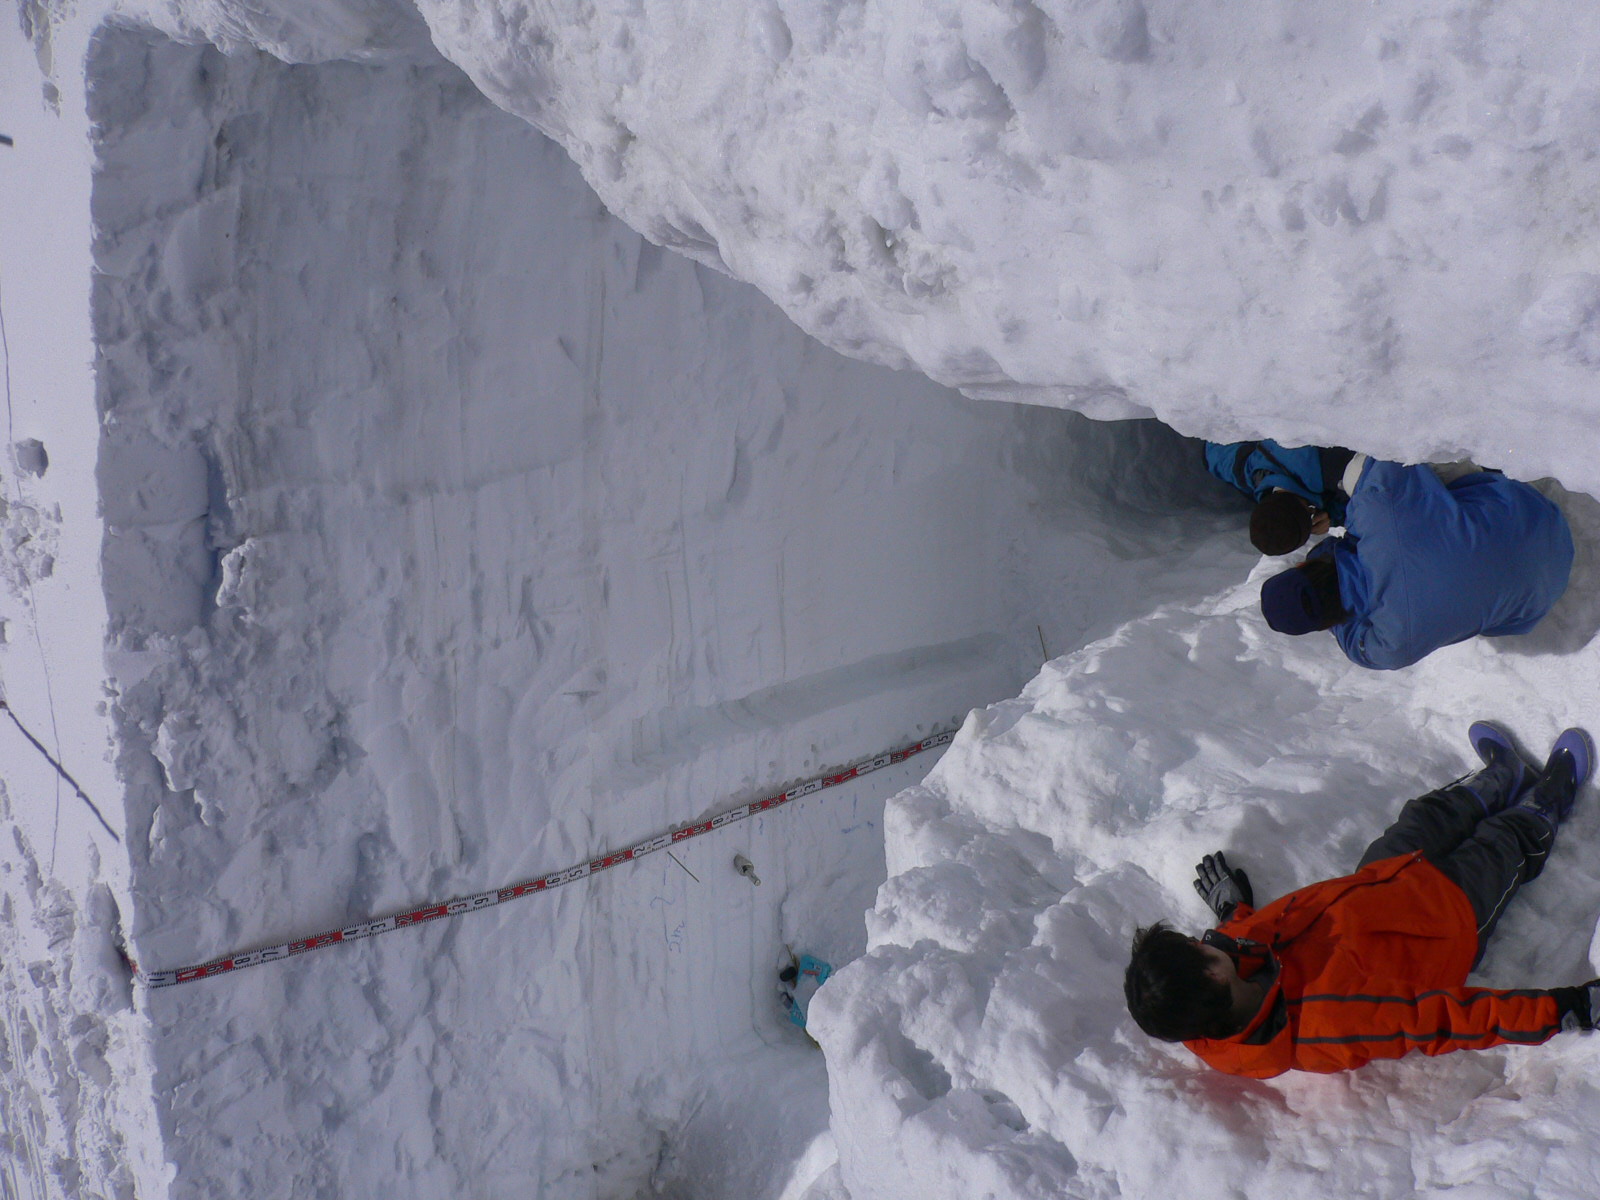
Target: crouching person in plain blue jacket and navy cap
{"type": "Point", "coordinates": [1426, 564]}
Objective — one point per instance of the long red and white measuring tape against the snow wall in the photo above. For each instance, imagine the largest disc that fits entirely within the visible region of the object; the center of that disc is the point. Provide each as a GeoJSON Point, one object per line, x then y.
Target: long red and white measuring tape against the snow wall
{"type": "Point", "coordinates": [487, 900]}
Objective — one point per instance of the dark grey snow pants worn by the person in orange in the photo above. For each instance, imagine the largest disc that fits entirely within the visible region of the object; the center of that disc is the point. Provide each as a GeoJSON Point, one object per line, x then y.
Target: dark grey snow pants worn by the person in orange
{"type": "Point", "coordinates": [1482, 846]}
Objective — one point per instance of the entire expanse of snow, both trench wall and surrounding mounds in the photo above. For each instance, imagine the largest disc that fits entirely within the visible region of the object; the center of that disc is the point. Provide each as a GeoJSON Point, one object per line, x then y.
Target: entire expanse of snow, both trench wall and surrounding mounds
{"type": "Point", "coordinates": [386, 521]}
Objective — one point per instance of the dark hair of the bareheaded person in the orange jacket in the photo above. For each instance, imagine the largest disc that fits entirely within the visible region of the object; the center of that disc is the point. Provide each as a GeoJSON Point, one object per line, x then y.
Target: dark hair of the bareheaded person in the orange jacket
{"type": "Point", "coordinates": [1172, 993]}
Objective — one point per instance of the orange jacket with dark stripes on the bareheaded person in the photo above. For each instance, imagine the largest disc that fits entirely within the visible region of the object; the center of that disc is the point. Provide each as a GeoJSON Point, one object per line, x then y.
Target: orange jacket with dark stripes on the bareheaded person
{"type": "Point", "coordinates": [1370, 966]}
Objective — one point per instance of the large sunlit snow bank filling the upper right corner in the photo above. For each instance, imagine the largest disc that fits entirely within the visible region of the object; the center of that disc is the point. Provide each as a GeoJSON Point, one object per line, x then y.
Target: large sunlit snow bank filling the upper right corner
{"type": "Point", "coordinates": [1364, 226]}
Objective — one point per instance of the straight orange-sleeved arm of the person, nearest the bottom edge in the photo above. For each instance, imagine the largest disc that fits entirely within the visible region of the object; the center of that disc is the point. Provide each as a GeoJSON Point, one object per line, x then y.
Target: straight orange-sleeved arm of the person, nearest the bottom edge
{"type": "Point", "coordinates": [1388, 1018]}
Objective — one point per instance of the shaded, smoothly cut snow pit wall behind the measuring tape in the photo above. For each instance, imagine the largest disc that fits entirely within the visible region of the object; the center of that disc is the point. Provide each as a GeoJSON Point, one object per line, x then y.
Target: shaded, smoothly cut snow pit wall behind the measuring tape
{"type": "Point", "coordinates": [455, 534]}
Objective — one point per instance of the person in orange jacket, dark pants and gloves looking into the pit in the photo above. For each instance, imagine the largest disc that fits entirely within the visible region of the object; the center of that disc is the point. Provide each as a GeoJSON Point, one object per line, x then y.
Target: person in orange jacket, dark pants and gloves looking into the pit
{"type": "Point", "coordinates": [1375, 964]}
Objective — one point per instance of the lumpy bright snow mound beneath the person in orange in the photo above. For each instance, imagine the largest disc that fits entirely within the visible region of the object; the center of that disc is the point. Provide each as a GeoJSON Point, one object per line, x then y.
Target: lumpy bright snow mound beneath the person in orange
{"type": "Point", "coordinates": [983, 1049]}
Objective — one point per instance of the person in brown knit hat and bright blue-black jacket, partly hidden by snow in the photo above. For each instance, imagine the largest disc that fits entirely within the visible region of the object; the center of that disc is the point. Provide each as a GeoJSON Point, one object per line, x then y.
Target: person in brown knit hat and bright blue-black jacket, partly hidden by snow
{"type": "Point", "coordinates": [1298, 492]}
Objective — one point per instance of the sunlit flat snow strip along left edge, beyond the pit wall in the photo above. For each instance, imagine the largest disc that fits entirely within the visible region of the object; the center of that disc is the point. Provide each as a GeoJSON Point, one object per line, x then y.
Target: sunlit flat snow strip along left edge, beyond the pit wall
{"type": "Point", "coordinates": [76, 1084]}
